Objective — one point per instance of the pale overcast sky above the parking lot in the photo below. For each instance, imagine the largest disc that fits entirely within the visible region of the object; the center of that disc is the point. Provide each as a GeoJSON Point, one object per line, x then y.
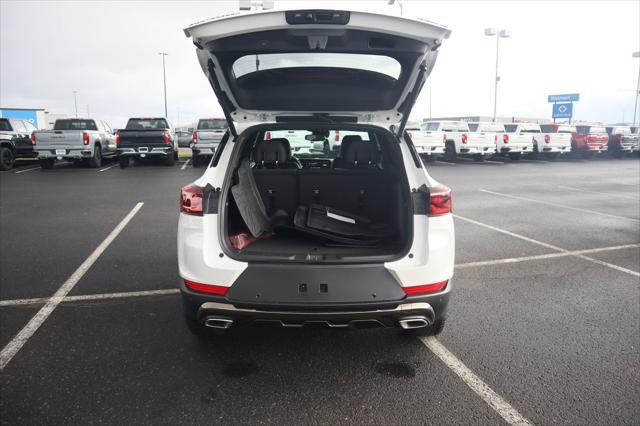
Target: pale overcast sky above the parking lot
{"type": "Point", "coordinates": [108, 52]}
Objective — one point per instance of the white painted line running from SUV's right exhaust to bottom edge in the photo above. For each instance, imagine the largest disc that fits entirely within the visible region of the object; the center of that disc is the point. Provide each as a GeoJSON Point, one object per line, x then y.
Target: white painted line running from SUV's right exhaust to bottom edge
{"type": "Point", "coordinates": [495, 401]}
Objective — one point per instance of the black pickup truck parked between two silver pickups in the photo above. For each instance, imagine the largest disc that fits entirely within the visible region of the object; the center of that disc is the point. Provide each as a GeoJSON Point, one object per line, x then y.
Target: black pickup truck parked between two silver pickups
{"type": "Point", "coordinates": [147, 137]}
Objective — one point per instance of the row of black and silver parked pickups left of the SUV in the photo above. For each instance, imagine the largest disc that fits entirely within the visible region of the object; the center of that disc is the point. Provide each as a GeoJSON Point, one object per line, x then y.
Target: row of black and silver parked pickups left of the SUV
{"type": "Point", "coordinates": [90, 141]}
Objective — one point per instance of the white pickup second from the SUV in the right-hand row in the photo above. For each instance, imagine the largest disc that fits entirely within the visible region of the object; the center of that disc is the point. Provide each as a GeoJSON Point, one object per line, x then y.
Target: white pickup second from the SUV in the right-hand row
{"type": "Point", "coordinates": [459, 141]}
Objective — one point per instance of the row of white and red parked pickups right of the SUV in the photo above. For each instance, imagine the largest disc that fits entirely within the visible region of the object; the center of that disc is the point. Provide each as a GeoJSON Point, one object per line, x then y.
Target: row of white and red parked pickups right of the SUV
{"type": "Point", "coordinates": [481, 140]}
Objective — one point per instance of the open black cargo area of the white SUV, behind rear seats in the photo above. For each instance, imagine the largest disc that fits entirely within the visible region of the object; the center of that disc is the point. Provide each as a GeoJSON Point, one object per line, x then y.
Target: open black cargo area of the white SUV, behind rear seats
{"type": "Point", "coordinates": [355, 206]}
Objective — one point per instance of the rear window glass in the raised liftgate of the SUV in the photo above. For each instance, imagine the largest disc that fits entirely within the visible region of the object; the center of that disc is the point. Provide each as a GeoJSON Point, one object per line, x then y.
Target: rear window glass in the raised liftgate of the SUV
{"type": "Point", "coordinates": [375, 63]}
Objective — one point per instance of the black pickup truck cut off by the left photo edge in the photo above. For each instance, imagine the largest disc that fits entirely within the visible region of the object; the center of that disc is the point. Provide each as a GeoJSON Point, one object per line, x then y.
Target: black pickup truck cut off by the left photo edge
{"type": "Point", "coordinates": [15, 141]}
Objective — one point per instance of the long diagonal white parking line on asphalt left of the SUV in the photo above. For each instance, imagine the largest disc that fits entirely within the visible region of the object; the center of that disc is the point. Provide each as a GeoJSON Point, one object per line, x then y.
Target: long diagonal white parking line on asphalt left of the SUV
{"type": "Point", "coordinates": [12, 348]}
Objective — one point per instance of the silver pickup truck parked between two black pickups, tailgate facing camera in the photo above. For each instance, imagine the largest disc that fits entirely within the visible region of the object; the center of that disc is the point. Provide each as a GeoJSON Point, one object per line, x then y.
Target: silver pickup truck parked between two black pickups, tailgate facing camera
{"type": "Point", "coordinates": [75, 139]}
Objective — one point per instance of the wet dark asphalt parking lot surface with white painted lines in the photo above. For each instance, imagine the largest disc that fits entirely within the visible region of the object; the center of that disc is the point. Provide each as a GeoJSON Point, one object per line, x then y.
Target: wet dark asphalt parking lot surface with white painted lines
{"type": "Point", "coordinates": [543, 323]}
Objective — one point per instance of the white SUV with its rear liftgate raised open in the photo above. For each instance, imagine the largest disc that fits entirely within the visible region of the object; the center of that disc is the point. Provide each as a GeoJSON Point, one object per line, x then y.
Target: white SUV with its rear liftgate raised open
{"type": "Point", "coordinates": [363, 238]}
